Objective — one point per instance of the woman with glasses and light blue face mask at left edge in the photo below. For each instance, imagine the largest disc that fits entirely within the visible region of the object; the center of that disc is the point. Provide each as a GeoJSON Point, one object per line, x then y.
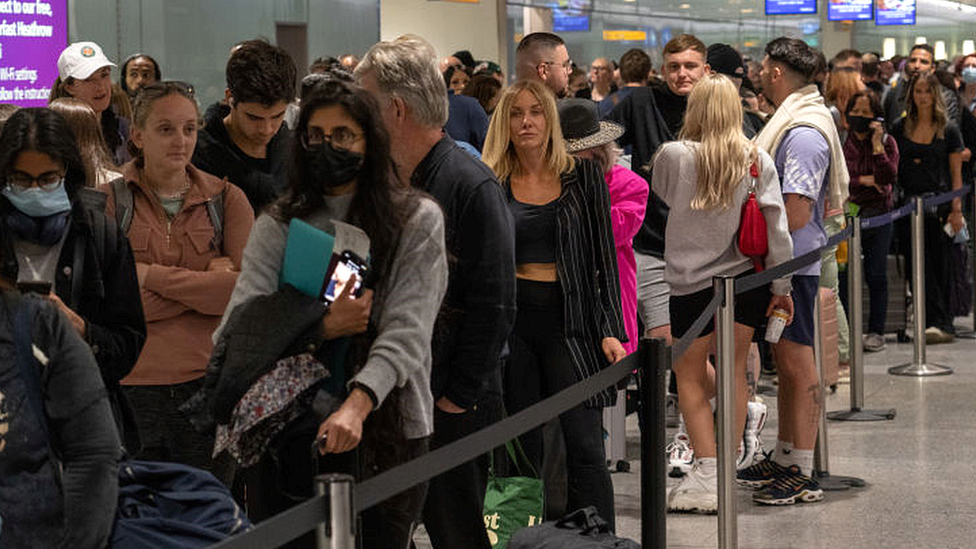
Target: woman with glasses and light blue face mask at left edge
{"type": "Point", "coordinates": [56, 242]}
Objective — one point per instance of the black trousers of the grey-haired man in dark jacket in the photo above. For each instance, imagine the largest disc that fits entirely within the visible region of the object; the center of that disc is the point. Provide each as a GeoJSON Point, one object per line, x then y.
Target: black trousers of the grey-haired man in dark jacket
{"type": "Point", "coordinates": [453, 513]}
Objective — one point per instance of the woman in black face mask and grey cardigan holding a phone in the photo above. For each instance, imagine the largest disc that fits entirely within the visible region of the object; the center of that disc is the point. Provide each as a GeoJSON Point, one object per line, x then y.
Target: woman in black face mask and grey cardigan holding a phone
{"type": "Point", "coordinates": [384, 414]}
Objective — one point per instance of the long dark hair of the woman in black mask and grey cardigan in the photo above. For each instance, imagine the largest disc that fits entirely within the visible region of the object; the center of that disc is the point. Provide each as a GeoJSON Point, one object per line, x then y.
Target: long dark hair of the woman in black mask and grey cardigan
{"type": "Point", "coordinates": [380, 207]}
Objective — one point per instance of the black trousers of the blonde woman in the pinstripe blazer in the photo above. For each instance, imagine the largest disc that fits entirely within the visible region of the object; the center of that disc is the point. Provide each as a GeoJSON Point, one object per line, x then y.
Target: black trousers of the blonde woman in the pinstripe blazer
{"type": "Point", "coordinates": [540, 365]}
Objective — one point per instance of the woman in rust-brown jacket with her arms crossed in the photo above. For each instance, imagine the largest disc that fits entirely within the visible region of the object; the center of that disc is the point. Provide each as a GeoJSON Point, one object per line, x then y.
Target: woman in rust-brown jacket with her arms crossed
{"type": "Point", "coordinates": [187, 259]}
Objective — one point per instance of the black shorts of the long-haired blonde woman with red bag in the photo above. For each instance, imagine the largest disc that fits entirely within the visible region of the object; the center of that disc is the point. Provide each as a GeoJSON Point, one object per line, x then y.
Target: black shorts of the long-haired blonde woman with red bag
{"type": "Point", "coordinates": [750, 309]}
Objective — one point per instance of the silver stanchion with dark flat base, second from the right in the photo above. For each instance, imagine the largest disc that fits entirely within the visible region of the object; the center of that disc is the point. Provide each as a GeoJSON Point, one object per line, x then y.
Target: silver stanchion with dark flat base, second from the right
{"type": "Point", "coordinates": [855, 309]}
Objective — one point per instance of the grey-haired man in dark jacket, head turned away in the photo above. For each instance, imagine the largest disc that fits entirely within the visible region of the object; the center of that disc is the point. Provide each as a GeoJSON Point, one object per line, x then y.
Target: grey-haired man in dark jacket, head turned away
{"type": "Point", "coordinates": [479, 310]}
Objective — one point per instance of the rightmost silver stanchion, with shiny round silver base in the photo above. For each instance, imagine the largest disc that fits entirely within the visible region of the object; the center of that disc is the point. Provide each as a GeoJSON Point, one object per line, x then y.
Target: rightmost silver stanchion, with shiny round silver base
{"type": "Point", "coordinates": [918, 367]}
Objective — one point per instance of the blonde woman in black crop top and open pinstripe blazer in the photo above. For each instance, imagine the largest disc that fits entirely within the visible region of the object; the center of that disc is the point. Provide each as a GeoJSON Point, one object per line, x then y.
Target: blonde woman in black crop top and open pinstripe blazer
{"type": "Point", "coordinates": [569, 324]}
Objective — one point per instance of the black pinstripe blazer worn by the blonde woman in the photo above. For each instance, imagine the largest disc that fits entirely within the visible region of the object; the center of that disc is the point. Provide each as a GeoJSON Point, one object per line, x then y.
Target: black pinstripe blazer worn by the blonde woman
{"type": "Point", "coordinates": [586, 262]}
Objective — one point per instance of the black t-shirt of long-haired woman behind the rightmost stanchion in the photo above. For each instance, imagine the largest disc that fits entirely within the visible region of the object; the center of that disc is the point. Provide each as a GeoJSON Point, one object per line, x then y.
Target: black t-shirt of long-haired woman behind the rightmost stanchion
{"type": "Point", "coordinates": [924, 167]}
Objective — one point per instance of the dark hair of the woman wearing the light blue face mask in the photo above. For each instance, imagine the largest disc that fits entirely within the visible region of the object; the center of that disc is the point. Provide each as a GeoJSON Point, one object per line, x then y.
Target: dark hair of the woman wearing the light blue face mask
{"type": "Point", "coordinates": [44, 131]}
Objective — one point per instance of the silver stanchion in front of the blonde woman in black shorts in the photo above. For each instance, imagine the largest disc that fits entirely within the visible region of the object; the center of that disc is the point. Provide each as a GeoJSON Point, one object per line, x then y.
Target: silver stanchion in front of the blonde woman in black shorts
{"type": "Point", "coordinates": [728, 440]}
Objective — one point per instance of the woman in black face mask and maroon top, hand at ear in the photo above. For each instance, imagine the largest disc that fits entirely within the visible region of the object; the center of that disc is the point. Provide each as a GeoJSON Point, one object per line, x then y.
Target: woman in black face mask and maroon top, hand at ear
{"type": "Point", "coordinates": [872, 162]}
